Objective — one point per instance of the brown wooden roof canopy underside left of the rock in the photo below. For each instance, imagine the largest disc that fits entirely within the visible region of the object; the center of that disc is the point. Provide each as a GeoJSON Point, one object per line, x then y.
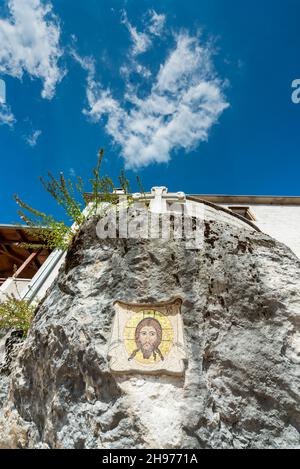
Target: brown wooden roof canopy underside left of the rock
{"type": "Point", "coordinates": [15, 259]}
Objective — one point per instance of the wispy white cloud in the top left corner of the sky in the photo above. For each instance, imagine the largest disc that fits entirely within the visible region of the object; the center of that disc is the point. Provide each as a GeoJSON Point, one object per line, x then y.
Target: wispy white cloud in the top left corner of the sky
{"type": "Point", "coordinates": [29, 41]}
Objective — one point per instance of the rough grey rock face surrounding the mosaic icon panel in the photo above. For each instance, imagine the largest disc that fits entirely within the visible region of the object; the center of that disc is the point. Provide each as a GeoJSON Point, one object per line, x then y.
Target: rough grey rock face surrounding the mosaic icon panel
{"type": "Point", "coordinates": [241, 315]}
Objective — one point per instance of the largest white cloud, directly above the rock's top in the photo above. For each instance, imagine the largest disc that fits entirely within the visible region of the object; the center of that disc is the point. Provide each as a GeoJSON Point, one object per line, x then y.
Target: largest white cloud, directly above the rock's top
{"type": "Point", "coordinates": [185, 101]}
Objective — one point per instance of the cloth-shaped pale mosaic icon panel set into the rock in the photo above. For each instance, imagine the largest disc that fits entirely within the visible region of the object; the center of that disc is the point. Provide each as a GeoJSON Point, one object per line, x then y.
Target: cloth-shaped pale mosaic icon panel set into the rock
{"type": "Point", "coordinates": [147, 338]}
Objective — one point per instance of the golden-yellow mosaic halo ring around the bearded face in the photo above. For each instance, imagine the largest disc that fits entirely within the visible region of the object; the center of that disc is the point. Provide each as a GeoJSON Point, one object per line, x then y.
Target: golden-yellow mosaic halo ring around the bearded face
{"type": "Point", "coordinates": [167, 335]}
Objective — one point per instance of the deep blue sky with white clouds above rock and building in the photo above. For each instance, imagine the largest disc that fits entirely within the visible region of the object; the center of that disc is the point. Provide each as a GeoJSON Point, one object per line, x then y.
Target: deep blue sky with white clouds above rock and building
{"type": "Point", "coordinates": [194, 95]}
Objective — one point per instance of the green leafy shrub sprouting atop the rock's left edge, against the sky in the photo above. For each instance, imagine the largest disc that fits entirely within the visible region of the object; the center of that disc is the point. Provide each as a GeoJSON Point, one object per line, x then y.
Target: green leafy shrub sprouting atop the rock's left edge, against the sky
{"type": "Point", "coordinates": [71, 197]}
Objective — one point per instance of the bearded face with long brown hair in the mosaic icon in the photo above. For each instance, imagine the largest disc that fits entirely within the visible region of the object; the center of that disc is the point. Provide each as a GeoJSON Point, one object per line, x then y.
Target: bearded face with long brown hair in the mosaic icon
{"type": "Point", "coordinates": [148, 336]}
